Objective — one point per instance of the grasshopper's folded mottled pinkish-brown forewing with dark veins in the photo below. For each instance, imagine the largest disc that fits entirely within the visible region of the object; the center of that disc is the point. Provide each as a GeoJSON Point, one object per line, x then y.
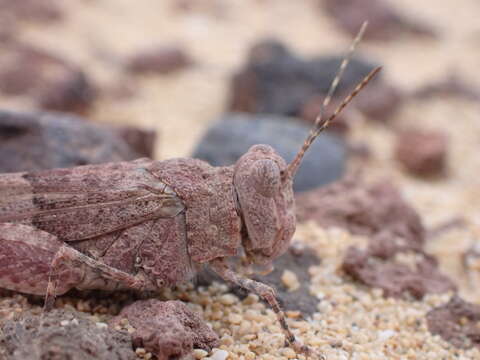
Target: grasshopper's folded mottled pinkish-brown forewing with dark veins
{"type": "Point", "coordinates": [86, 201]}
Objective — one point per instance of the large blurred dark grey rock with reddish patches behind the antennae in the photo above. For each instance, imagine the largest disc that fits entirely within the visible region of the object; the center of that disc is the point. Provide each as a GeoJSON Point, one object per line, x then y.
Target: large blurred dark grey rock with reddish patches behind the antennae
{"type": "Point", "coordinates": [276, 81]}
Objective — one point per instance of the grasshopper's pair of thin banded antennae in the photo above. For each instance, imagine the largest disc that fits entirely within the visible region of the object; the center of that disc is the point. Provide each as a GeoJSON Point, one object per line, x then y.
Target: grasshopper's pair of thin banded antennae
{"type": "Point", "coordinates": [320, 122]}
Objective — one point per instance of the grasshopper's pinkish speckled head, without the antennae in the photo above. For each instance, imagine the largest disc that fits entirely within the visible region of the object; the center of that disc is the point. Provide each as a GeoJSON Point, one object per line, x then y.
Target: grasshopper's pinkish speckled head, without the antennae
{"type": "Point", "coordinates": [266, 202]}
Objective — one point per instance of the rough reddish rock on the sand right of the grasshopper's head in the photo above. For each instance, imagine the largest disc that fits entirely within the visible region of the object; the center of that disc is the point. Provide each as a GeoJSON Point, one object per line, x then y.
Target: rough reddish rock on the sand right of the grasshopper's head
{"type": "Point", "coordinates": [394, 228]}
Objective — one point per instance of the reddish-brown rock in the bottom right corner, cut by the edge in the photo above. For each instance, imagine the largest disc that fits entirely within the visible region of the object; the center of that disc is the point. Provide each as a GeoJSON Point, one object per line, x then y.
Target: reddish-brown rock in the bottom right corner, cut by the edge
{"type": "Point", "coordinates": [457, 322]}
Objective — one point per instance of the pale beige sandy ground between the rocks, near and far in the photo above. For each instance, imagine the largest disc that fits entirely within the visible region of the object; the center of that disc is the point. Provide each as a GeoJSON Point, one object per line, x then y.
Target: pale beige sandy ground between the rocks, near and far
{"type": "Point", "coordinates": [180, 106]}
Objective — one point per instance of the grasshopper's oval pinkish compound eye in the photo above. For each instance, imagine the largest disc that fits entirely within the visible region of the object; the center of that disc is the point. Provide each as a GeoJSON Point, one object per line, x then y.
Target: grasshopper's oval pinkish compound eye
{"type": "Point", "coordinates": [267, 177]}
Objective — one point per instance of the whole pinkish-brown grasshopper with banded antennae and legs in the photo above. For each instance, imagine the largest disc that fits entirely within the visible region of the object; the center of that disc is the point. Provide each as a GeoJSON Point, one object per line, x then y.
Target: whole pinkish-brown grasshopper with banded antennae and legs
{"type": "Point", "coordinates": [145, 225]}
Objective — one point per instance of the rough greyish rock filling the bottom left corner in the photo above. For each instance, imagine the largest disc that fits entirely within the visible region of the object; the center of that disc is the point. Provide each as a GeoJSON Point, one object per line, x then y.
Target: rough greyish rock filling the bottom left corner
{"type": "Point", "coordinates": [62, 334]}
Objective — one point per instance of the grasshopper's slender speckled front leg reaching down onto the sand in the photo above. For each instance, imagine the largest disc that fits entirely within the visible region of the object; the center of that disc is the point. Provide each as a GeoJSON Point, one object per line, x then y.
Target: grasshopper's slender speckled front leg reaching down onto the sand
{"type": "Point", "coordinates": [267, 293]}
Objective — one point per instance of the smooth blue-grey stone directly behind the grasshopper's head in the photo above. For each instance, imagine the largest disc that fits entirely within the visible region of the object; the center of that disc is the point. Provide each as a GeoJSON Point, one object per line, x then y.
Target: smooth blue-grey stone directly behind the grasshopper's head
{"type": "Point", "coordinates": [231, 137]}
